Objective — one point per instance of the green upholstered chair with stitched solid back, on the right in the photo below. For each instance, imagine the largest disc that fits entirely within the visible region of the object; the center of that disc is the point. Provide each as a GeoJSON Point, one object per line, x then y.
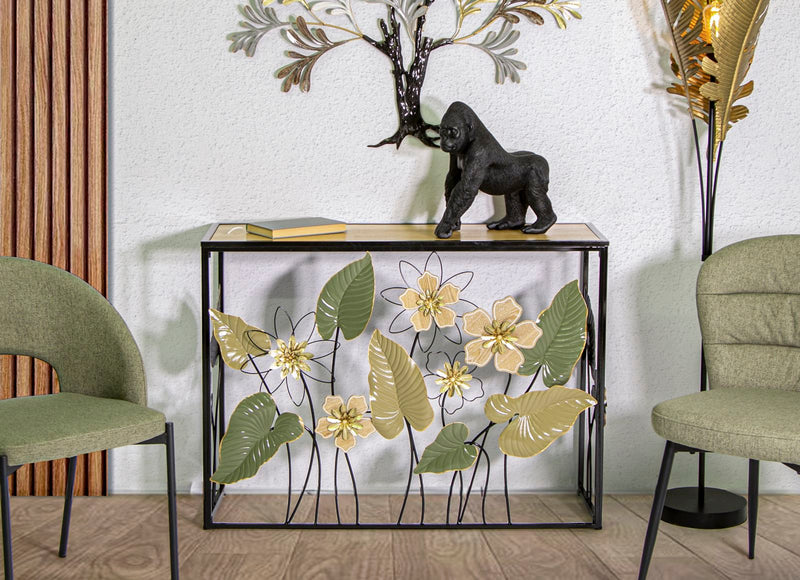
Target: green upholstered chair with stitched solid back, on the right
{"type": "Point", "coordinates": [748, 302]}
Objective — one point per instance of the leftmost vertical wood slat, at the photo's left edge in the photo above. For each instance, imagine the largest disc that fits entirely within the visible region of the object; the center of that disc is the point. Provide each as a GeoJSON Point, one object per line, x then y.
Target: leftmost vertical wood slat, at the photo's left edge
{"type": "Point", "coordinates": [8, 145]}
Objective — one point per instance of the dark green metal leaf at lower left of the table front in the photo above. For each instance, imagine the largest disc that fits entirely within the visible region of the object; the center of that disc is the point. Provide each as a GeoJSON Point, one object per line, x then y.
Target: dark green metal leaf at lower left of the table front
{"type": "Point", "coordinates": [251, 440]}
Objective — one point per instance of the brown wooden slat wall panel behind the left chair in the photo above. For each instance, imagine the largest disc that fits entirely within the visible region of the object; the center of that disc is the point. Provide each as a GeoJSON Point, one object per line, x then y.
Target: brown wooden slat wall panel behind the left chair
{"type": "Point", "coordinates": [53, 194]}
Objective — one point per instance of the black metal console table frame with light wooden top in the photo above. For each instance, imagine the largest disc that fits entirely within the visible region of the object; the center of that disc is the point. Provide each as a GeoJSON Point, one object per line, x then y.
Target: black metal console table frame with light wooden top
{"type": "Point", "coordinates": [584, 239]}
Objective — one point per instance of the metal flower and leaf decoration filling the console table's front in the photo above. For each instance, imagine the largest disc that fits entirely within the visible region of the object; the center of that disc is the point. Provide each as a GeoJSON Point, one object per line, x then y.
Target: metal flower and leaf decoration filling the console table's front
{"type": "Point", "coordinates": [405, 391]}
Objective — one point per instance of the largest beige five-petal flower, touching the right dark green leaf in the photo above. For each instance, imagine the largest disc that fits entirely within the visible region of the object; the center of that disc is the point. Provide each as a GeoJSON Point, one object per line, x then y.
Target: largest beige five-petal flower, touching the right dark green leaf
{"type": "Point", "coordinates": [500, 336]}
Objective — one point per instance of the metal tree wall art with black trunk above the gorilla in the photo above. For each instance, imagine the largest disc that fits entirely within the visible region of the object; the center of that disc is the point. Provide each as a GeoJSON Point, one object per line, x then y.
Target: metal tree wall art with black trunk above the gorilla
{"type": "Point", "coordinates": [488, 25]}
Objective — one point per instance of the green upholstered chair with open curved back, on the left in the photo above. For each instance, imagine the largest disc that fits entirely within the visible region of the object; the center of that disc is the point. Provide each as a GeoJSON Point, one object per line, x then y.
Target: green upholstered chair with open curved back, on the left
{"type": "Point", "coordinates": [51, 315]}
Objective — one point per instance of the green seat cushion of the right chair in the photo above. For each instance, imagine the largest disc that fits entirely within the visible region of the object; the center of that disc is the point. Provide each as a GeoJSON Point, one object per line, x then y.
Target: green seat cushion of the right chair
{"type": "Point", "coordinates": [753, 423]}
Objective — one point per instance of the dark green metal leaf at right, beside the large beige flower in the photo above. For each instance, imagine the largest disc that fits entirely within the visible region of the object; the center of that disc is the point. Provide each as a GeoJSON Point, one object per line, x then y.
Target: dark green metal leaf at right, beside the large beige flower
{"type": "Point", "coordinates": [560, 347]}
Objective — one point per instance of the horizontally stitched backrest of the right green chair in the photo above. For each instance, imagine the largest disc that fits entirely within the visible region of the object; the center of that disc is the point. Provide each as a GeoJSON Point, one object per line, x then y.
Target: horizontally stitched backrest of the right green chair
{"type": "Point", "coordinates": [748, 301]}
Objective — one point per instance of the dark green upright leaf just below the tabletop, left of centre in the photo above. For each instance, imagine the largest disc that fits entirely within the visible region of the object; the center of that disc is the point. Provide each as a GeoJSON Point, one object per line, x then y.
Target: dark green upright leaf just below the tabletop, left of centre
{"type": "Point", "coordinates": [347, 299]}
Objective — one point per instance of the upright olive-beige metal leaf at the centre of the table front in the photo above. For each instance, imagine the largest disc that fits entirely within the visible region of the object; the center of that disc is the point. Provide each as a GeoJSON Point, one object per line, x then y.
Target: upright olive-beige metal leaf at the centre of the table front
{"type": "Point", "coordinates": [396, 389]}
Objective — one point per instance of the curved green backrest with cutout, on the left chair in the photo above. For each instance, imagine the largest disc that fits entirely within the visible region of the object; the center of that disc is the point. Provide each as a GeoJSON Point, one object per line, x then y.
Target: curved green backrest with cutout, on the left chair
{"type": "Point", "coordinates": [51, 315]}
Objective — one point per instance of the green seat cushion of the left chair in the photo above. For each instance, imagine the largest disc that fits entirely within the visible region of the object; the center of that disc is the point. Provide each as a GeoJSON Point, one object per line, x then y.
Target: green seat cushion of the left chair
{"type": "Point", "coordinates": [48, 427]}
